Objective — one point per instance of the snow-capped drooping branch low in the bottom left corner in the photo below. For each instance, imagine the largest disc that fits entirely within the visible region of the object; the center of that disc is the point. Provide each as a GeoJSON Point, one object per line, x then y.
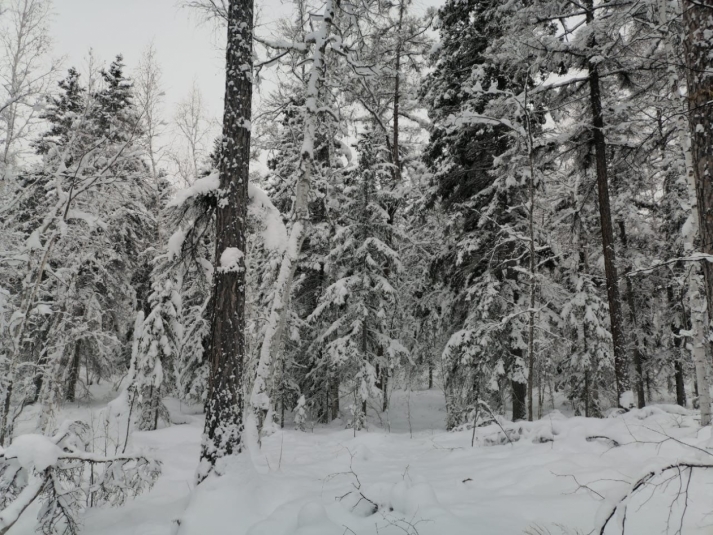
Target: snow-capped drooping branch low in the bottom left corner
{"type": "Point", "coordinates": [66, 479]}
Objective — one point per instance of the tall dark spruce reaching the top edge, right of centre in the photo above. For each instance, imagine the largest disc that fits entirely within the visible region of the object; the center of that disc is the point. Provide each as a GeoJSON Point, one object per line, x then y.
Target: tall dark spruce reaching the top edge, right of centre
{"type": "Point", "coordinates": [478, 258]}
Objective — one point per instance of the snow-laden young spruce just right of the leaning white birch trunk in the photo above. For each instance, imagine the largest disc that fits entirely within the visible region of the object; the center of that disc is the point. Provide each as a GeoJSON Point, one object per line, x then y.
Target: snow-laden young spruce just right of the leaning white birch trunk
{"type": "Point", "coordinates": [359, 338]}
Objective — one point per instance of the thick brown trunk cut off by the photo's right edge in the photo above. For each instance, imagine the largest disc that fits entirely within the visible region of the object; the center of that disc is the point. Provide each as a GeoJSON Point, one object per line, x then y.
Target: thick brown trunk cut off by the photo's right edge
{"type": "Point", "coordinates": [698, 20]}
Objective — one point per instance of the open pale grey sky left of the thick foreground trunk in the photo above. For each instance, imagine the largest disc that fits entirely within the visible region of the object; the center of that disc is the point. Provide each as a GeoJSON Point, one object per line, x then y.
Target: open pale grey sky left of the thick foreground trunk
{"type": "Point", "coordinates": [186, 48]}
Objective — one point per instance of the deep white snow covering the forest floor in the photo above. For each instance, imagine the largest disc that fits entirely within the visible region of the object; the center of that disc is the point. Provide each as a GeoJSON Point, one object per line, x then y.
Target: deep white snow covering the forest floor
{"type": "Point", "coordinates": [407, 475]}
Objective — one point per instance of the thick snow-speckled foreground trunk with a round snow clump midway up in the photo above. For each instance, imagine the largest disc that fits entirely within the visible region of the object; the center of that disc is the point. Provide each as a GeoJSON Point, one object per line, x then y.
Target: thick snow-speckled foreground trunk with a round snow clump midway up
{"type": "Point", "coordinates": [224, 407]}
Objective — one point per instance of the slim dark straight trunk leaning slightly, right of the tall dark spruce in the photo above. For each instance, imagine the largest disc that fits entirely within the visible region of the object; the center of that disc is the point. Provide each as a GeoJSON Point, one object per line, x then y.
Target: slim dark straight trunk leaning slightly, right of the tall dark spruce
{"type": "Point", "coordinates": [613, 294]}
